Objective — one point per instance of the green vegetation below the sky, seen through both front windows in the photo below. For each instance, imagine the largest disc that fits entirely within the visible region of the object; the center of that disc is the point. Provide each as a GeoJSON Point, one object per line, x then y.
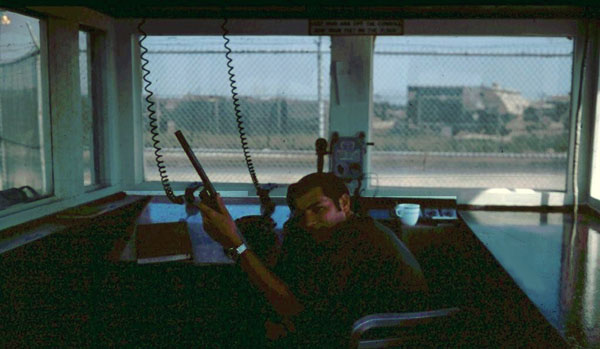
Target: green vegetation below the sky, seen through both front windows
{"type": "Point", "coordinates": [280, 124]}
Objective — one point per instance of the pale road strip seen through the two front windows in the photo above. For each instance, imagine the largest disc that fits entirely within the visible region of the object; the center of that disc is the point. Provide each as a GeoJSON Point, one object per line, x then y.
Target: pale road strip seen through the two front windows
{"type": "Point", "coordinates": [403, 169]}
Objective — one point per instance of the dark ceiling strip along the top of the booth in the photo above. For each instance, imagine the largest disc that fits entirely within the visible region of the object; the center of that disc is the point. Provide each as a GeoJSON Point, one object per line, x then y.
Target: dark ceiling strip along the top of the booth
{"type": "Point", "coordinates": [331, 8]}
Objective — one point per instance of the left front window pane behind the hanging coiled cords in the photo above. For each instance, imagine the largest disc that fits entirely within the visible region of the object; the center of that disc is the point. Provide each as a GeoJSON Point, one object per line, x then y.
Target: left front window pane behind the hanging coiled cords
{"type": "Point", "coordinates": [283, 86]}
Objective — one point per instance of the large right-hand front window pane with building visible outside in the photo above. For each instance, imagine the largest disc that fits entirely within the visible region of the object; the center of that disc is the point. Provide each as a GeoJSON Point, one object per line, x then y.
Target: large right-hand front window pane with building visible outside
{"type": "Point", "coordinates": [477, 112]}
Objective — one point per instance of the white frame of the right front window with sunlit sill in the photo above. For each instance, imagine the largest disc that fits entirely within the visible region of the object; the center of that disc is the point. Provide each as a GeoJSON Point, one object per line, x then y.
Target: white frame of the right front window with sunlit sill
{"type": "Point", "coordinates": [505, 27]}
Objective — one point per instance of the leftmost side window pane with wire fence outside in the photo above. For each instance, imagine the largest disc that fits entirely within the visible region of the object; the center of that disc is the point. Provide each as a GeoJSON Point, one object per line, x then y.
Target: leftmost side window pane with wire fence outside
{"type": "Point", "coordinates": [24, 145]}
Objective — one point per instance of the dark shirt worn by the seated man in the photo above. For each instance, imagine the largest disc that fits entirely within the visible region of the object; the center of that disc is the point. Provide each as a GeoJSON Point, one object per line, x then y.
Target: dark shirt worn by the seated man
{"type": "Point", "coordinates": [362, 269]}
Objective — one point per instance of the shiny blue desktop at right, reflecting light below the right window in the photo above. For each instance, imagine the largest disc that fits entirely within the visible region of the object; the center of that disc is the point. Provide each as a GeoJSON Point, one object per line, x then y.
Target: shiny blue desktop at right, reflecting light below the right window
{"type": "Point", "coordinates": [556, 266]}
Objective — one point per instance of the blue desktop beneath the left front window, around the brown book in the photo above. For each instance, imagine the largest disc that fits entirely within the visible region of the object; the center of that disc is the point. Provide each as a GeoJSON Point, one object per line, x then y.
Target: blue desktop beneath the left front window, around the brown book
{"type": "Point", "coordinates": [205, 250]}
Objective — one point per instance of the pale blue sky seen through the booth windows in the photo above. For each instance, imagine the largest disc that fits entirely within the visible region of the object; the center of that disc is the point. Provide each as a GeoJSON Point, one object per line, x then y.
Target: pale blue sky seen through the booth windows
{"type": "Point", "coordinates": [543, 69]}
